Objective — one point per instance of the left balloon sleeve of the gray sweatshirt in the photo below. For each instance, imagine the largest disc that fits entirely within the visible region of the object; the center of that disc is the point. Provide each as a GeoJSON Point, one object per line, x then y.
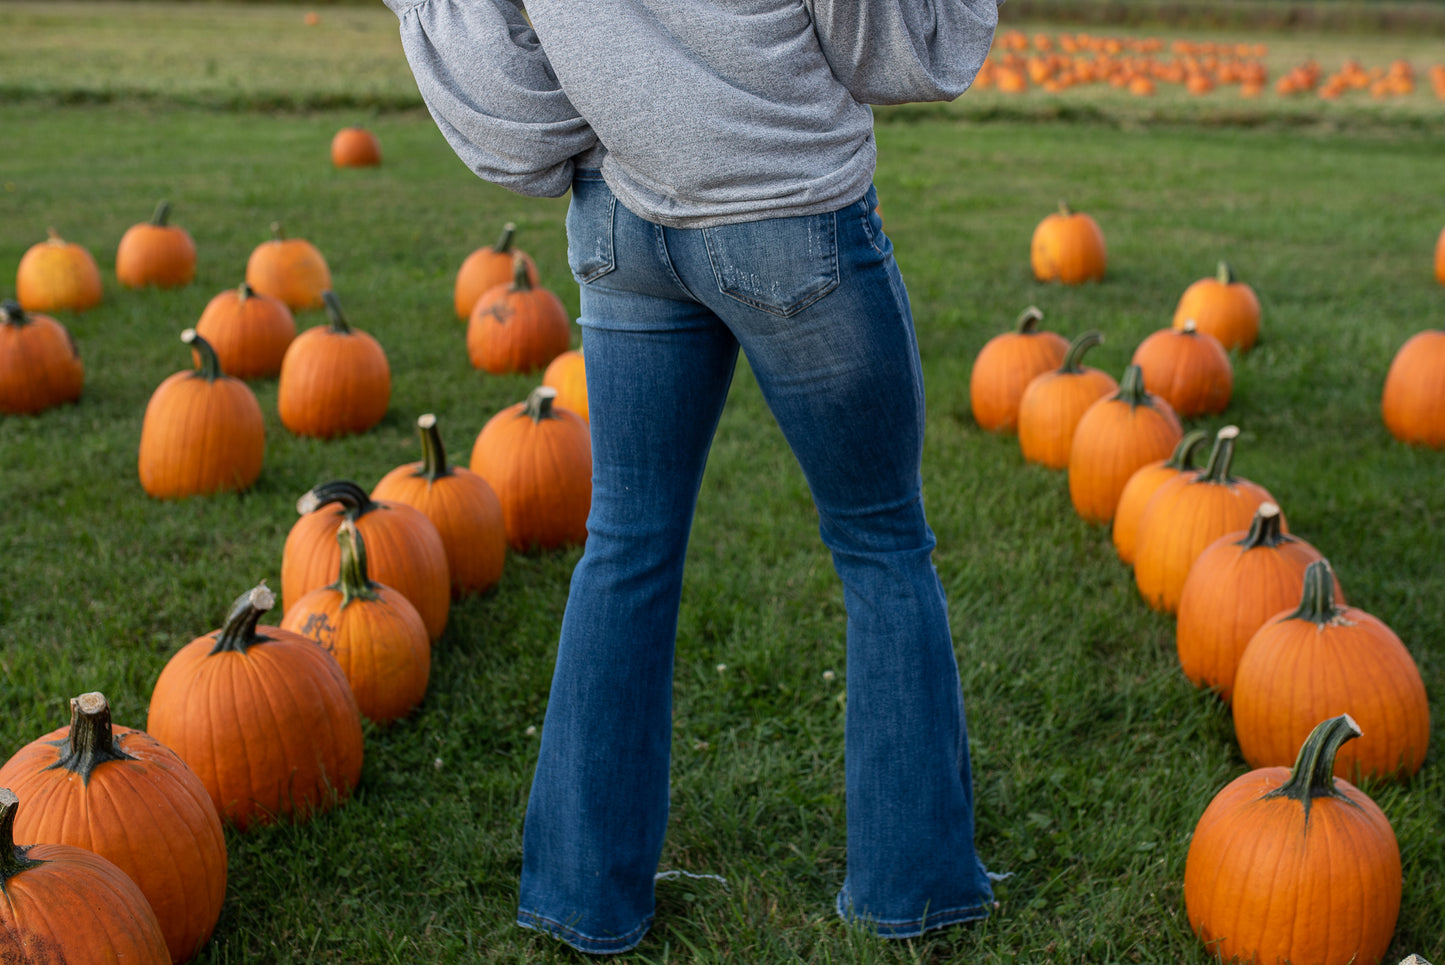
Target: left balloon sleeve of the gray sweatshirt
{"type": "Point", "coordinates": [492, 92]}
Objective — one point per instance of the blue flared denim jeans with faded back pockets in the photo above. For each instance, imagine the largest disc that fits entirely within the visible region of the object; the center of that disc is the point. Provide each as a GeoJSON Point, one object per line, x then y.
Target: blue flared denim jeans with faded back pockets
{"type": "Point", "coordinates": [819, 307]}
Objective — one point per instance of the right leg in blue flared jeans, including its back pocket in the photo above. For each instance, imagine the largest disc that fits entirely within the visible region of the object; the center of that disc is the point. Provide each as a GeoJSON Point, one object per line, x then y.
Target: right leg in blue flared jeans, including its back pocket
{"type": "Point", "coordinates": [823, 317]}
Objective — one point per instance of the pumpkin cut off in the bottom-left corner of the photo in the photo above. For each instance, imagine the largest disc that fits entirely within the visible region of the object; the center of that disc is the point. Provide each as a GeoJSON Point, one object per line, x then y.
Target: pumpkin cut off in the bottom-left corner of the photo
{"type": "Point", "coordinates": [66, 905]}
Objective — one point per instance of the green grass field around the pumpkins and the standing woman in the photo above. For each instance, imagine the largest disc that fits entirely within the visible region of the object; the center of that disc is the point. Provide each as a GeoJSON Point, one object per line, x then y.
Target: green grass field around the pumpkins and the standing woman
{"type": "Point", "coordinates": [1093, 755]}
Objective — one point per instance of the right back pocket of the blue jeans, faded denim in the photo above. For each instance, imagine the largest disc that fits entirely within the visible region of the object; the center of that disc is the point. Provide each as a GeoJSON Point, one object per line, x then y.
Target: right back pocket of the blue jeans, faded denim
{"type": "Point", "coordinates": [778, 265]}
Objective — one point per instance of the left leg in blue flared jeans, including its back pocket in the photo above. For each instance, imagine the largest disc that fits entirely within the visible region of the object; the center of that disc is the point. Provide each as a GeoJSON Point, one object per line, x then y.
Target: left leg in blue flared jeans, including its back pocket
{"type": "Point", "coordinates": [658, 372]}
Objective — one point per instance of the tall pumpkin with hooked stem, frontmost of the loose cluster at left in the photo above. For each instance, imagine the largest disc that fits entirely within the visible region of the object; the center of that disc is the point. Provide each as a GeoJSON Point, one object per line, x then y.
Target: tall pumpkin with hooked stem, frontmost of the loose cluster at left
{"type": "Point", "coordinates": [203, 431]}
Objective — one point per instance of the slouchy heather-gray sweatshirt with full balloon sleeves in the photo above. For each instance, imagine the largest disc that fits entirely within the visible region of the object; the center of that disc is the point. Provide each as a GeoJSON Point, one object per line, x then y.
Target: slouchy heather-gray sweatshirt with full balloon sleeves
{"type": "Point", "coordinates": [697, 112]}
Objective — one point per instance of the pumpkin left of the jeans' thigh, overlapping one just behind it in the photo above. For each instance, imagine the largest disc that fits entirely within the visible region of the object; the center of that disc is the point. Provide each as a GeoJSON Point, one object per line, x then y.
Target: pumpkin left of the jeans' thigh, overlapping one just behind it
{"type": "Point", "coordinates": [518, 327]}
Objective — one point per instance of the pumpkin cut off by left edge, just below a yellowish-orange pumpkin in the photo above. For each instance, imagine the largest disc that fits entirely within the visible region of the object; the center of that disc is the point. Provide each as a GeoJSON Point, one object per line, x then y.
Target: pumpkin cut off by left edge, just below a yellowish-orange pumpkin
{"type": "Point", "coordinates": [40, 366]}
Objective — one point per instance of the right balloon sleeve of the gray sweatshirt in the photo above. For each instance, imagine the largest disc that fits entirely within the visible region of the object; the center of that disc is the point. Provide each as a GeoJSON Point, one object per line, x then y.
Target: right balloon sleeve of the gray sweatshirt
{"type": "Point", "coordinates": [905, 51]}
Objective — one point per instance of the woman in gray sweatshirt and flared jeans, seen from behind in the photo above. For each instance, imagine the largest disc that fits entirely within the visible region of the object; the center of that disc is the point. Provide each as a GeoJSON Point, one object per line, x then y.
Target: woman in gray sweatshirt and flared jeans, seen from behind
{"type": "Point", "coordinates": [720, 157]}
